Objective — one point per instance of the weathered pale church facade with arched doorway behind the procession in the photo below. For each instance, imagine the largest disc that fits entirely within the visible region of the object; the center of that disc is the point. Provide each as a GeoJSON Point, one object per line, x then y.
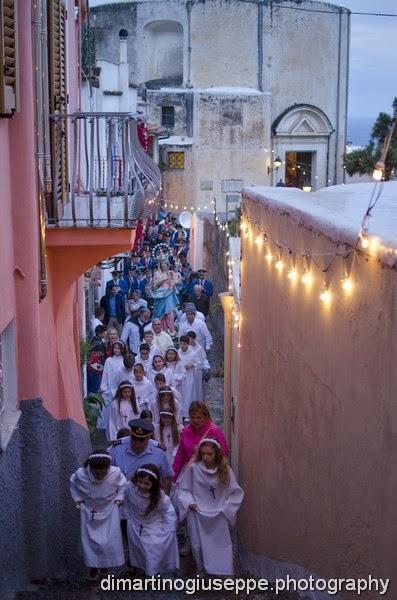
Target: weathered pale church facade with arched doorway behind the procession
{"type": "Point", "coordinates": [235, 85]}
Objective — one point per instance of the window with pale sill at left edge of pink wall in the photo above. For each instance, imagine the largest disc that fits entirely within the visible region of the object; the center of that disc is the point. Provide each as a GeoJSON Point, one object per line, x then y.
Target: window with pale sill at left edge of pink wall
{"type": "Point", "coordinates": [9, 415]}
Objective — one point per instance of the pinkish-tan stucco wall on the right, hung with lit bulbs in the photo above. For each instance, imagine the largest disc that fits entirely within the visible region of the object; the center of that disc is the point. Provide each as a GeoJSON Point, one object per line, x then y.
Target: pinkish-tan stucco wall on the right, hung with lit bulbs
{"type": "Point", "coordinates": [317, 410]}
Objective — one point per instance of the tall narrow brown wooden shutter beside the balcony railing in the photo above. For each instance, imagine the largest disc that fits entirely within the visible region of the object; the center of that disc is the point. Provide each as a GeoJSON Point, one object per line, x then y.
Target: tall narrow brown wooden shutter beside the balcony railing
{"type": "Point", "coordinates": [58, 99]}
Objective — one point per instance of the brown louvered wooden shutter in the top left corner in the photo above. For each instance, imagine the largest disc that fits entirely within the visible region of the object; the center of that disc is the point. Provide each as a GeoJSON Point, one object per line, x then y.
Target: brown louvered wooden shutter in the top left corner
{"type": "Point", "coordinates": [8, 57]}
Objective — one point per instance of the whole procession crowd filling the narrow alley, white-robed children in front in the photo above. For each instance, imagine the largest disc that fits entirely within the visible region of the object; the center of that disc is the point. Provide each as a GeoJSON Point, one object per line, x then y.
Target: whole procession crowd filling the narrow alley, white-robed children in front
{"type": "Point", "coordinates": [166, 461]}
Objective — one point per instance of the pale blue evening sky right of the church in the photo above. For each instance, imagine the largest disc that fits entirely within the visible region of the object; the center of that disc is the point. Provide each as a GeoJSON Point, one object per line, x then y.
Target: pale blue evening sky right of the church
{"type": "Point", "coordinates": [373, 58]}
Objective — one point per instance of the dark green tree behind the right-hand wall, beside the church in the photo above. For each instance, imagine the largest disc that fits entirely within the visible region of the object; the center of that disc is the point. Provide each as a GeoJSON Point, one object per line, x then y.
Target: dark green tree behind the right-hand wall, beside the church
{"type": "Point", "coordinates": [363, 161]}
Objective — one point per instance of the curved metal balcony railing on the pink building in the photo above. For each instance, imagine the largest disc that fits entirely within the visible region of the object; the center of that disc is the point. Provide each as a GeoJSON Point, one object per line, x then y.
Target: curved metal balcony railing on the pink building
{"type": "Point", "coordinates": [100, 175]}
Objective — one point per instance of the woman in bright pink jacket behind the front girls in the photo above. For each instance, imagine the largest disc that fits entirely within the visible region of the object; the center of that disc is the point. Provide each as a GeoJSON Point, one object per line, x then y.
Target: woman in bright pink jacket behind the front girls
{"type": "Point", "coordinates": [200, 427]}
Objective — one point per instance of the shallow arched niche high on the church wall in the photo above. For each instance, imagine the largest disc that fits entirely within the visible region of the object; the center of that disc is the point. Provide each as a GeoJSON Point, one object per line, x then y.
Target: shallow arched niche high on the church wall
{"type": "Point", "coordinates": [163, 42]}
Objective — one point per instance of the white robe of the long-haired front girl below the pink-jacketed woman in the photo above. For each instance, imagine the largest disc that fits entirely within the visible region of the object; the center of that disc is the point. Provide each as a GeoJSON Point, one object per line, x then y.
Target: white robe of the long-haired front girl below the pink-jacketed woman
{"type": "Point", "coordinates": [208, 527]}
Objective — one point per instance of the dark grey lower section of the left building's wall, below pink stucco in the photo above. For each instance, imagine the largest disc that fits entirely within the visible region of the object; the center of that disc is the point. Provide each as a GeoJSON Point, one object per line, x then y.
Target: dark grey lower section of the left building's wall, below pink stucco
{"type": "Point", "coordinates": [39, 526]}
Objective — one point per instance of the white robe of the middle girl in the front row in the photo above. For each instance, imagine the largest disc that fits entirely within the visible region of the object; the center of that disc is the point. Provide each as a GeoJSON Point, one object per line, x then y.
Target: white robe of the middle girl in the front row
{"type": "Point", "coordinates": [152, 543]}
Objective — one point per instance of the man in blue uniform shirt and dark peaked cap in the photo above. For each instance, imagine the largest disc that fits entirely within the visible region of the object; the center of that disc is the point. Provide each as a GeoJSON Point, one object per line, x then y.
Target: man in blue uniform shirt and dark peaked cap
{"type": "Point", "coordinates": [130, 453]}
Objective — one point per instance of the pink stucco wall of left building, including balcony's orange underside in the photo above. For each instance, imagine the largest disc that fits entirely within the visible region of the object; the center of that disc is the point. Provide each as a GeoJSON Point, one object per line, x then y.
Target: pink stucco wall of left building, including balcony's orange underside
{"type": "Point", "coordinates": [47, 332]}
